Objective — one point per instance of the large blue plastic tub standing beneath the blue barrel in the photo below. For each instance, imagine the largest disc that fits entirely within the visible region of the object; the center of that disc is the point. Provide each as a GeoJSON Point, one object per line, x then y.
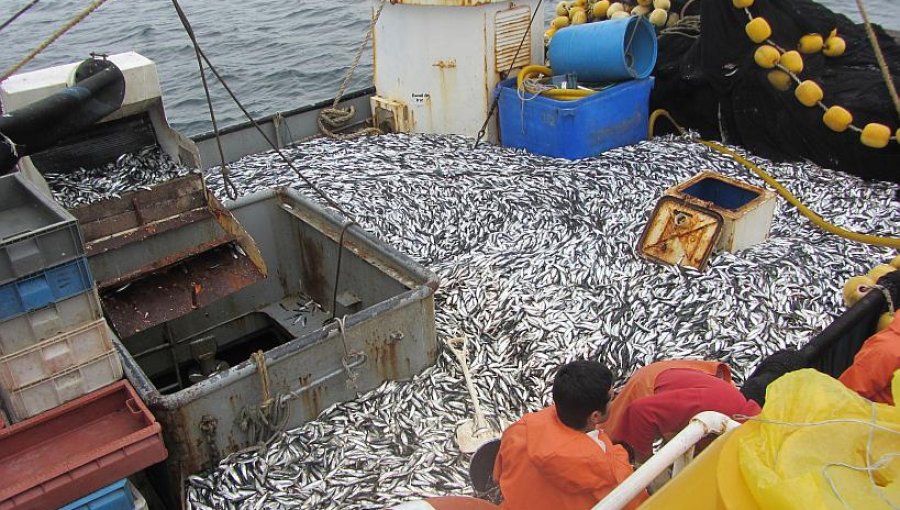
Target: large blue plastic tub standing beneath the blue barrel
{"type": "Point", "coordinates": [613, 117]}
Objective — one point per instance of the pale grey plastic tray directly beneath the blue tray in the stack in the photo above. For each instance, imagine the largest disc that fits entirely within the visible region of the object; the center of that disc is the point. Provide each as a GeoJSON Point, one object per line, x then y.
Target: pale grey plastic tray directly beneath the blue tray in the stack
{"type": "Point", "coordinates": [27, 329]}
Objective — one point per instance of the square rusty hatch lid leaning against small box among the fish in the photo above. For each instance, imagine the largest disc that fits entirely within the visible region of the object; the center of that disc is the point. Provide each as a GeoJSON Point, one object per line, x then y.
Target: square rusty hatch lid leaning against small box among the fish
{"type": "Point", "coordinates": [680, 233]}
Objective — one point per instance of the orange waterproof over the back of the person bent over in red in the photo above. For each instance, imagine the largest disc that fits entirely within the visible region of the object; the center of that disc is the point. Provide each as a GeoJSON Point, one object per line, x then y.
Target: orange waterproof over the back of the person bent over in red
{"type": "Point", "coordinates": [643, 383]}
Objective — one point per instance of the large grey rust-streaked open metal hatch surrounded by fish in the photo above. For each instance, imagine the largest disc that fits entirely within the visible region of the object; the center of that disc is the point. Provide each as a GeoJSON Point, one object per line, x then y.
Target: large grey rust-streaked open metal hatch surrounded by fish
{"type": "Point", "coordinates": [181, 368]}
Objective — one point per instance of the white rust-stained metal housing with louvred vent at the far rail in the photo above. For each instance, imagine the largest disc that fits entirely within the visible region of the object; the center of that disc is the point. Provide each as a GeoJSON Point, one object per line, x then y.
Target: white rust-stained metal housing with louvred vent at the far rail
{"type": "Point", "coordinates": [443, 58]}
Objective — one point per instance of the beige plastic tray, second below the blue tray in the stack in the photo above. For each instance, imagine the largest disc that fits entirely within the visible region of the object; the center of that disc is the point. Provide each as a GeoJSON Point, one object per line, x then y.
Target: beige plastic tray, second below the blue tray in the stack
{"type": "Point", "coordinates": [55, 355]}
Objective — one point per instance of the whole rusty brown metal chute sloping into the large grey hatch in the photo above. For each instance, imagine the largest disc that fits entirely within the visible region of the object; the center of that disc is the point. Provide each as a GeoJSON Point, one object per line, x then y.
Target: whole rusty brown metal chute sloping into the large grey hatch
{"type": "Point", "coordinates": [160, 253]}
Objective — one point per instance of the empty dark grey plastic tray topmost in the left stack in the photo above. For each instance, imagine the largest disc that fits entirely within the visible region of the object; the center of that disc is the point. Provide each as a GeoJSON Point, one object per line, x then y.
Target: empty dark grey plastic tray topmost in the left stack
{"type": "Point", "coordinates": [35, 232]}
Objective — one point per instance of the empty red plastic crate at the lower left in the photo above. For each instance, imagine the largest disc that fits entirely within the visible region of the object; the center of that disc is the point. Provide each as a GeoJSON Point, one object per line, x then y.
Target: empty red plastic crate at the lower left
{"type": "Point", "coordinates": [77, 448]}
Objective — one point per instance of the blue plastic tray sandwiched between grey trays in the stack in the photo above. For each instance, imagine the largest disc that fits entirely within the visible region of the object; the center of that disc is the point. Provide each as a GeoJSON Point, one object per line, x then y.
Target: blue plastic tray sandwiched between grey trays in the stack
{"type": "Point", "coordinates": [44, 288]}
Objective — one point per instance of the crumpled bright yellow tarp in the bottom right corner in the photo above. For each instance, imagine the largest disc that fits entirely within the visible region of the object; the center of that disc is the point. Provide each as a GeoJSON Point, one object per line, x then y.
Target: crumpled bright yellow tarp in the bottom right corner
{"type": "Point", "coordinates": [820, 459]}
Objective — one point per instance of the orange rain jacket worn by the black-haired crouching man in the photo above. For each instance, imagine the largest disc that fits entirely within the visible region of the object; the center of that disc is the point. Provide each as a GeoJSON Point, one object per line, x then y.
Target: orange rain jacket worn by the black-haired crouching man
{"type": "Point", "coordinates": [545, 465]}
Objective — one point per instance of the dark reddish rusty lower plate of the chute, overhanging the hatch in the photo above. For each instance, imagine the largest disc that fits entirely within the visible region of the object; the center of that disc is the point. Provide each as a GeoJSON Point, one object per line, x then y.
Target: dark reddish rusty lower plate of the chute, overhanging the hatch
{"type": "Point", "coordinates": [192, 284]}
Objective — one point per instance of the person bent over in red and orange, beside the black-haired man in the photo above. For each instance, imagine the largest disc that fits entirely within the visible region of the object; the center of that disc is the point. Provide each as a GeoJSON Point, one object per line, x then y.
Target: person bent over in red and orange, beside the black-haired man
{"type": "Point", "coordinates": [678, 395]}
